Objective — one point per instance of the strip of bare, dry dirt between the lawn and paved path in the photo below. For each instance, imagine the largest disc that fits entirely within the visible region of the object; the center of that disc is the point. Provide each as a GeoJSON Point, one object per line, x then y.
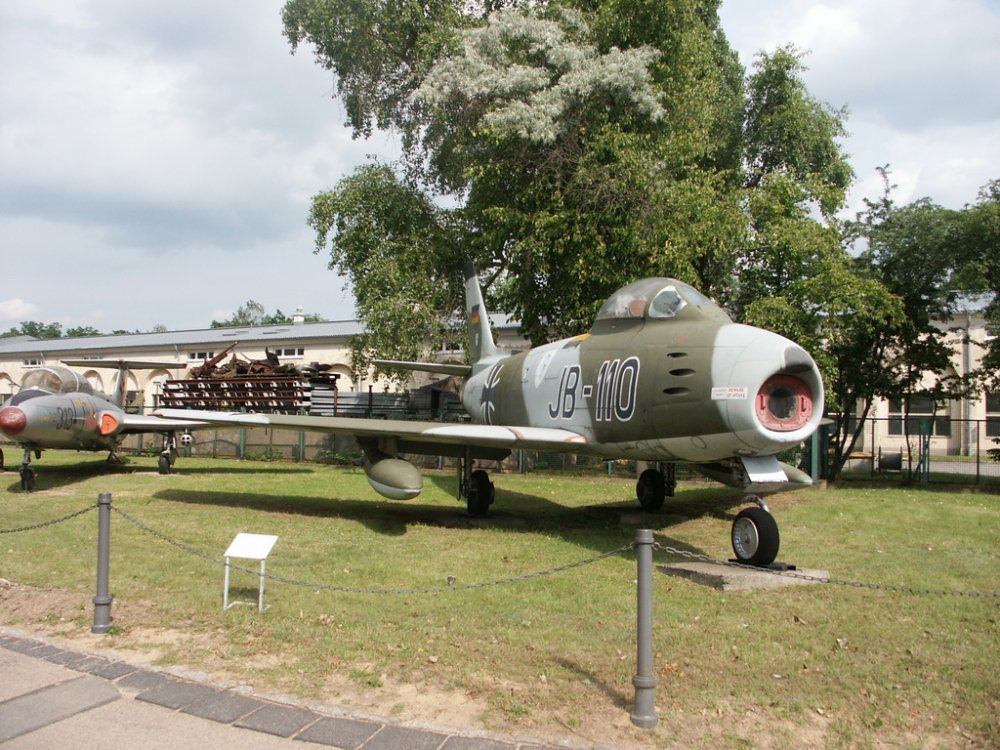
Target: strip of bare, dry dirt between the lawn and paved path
{"type": "Point", "coordinates": [497, 705]}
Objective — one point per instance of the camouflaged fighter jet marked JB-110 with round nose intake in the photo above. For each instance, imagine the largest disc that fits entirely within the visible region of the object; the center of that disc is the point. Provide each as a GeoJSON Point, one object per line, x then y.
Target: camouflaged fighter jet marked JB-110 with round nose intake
{"type": "Point", "coordinates": [663, 376]}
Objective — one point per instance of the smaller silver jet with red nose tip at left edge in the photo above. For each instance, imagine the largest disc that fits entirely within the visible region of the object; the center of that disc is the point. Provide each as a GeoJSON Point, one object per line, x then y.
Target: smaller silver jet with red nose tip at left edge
{"type": "Point", "coordinates": [58, 408]}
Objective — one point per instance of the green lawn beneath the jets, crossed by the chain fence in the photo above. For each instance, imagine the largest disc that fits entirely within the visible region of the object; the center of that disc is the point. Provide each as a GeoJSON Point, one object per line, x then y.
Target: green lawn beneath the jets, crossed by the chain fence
{"type": "Point", "coordinates": [817, 666]}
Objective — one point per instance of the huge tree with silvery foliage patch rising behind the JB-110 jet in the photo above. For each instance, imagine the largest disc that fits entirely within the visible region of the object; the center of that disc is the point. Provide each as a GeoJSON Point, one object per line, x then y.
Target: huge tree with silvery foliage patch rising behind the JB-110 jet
{"type": "Point", "coordinates": [548, 130]}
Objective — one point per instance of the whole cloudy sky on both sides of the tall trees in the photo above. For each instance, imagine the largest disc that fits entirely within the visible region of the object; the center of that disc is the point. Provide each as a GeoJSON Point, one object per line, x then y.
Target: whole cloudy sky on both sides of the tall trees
{"type": "Point", "coordinates": [157, 159]}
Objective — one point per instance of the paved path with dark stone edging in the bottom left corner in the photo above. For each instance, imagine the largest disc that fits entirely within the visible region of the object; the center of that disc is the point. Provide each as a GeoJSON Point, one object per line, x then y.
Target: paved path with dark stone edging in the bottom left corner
{"type": "Point", "coordinates": [53, 697]}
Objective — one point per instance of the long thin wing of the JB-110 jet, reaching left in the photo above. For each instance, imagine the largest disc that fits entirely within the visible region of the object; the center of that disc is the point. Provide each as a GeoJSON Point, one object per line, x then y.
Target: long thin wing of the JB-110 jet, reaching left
{"type": "Point", "coordinates": [417, 436]}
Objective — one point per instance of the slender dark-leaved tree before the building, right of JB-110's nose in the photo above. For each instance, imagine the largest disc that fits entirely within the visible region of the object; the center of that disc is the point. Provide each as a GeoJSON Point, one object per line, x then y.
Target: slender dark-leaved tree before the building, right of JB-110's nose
{"type": "Point", "coordinates": [909, 257]}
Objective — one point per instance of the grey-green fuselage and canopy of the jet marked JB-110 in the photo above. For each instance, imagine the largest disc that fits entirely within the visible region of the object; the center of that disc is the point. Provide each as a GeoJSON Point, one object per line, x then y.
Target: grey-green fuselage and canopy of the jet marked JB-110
{"type": "Point", "coordinates": [681, 383]}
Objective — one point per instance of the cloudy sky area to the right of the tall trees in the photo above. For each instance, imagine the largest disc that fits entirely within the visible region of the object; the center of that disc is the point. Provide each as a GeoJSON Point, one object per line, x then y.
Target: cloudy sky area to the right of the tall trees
{"type": "Point", "coordinates": [917, 79]}
